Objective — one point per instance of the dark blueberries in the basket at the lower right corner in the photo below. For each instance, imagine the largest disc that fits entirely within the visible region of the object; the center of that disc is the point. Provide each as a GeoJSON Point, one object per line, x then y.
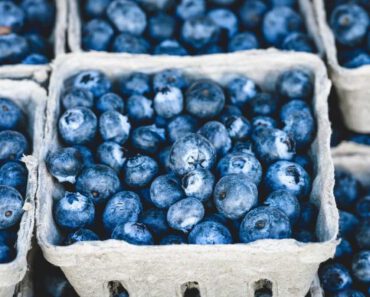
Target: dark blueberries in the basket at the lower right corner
{"type": "Point", "coordinates": [348, 275]}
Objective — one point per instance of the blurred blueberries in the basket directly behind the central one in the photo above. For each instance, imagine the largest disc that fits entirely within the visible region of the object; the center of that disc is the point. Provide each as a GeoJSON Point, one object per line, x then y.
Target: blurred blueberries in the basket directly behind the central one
{"type": "Point", "coordinates": [192, 27]}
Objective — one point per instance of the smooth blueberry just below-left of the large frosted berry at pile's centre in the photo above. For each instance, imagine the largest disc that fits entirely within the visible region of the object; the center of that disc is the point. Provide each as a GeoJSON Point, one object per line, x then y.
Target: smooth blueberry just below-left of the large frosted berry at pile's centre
{"type": "Point", "coordinates": [166, 190]}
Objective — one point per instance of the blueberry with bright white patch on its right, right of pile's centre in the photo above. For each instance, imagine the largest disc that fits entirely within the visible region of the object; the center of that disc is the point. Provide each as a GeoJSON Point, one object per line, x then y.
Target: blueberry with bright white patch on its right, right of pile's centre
{"type": "Point", "coordinates": [273, 145]}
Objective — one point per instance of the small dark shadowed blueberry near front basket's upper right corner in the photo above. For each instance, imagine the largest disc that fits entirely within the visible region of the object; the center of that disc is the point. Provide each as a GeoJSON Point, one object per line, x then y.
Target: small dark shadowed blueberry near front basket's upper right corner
{"type": "Point", "coordinates": [263, 104]}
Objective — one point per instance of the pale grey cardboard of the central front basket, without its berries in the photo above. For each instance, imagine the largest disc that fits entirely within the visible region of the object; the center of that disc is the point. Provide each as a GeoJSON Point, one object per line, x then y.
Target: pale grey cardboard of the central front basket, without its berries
{"type": "Point", "coordinates": [286, 266]}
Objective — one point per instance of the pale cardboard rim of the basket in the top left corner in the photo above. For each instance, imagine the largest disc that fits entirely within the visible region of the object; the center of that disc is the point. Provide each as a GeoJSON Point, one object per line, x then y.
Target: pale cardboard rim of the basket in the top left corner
{"type": "Point", "coordinates": [40, 73]}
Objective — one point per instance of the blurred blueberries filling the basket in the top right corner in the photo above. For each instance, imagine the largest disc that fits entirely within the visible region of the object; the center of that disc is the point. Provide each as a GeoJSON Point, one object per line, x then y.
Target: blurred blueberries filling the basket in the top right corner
{"type": "Point", "coordinates": [350, 23]}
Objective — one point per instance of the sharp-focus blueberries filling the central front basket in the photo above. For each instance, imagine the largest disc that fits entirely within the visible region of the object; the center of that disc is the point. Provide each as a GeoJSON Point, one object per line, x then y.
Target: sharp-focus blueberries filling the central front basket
{"type": "Point", "coordinates": [172, 160]}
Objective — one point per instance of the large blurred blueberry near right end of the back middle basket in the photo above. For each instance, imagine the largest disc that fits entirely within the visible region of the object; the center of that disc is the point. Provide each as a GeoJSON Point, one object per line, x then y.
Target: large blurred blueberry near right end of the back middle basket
{"type": "Point", "coordinates": [279, 22]}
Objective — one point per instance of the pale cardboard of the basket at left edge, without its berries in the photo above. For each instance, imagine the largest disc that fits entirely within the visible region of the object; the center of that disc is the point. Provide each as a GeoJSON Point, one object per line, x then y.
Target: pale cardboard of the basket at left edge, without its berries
{"type": "Point", "coordinates": [31, 98]}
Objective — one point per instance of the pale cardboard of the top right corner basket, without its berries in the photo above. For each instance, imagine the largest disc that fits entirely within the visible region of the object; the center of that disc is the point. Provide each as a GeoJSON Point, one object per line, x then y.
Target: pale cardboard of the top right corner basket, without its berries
{"type": "Point", "coordinates": [352, 85]}
